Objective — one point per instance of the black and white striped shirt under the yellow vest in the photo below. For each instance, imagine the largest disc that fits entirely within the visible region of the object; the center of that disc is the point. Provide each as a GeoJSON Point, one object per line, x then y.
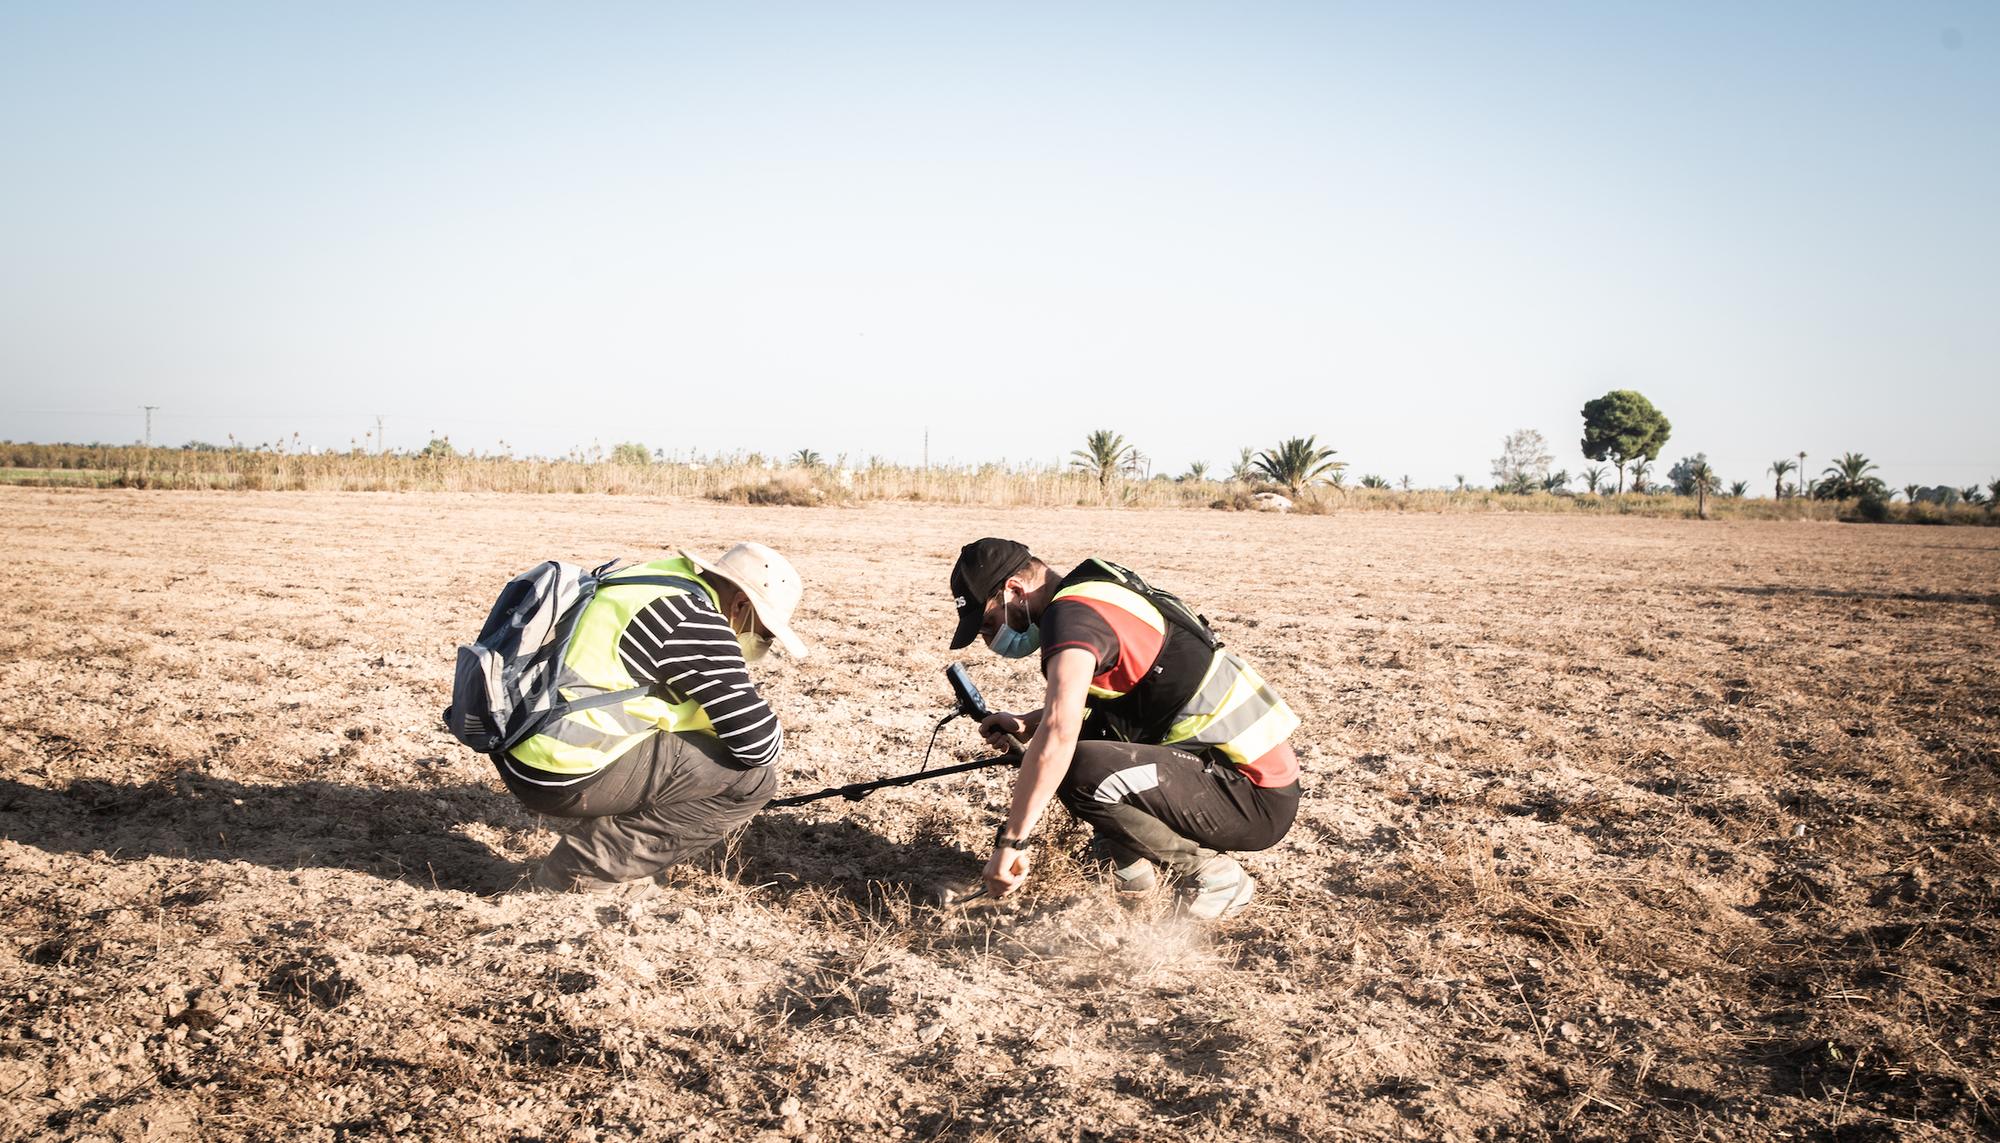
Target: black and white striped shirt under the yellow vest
{"type": "Point", "coordinates": [687, 646]}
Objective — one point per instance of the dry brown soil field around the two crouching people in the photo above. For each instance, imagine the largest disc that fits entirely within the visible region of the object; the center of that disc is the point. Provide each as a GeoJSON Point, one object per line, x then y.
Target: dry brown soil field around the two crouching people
{"type": "Point", "coordinates": [1615, 830]}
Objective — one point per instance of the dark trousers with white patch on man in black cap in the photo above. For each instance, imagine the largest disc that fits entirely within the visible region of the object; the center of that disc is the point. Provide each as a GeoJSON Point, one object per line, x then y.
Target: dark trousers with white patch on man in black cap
{"type": "Point", "coordinates": [1169, 806]}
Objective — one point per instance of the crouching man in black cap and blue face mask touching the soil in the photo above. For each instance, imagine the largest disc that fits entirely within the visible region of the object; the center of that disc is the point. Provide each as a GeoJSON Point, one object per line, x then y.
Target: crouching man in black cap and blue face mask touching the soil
{"type": "Point", "coordinates": [1169, 746]}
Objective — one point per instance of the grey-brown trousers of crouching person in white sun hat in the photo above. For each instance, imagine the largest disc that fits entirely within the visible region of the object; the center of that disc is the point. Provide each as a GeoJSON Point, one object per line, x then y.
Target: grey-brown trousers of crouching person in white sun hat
{"type": "Point", "coordinates": [663, 802]}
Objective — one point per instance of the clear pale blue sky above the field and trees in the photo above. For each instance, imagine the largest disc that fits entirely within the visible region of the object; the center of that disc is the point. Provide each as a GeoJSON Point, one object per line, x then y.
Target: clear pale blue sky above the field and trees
{"type": "Point", "coordinates": [1407, 229]}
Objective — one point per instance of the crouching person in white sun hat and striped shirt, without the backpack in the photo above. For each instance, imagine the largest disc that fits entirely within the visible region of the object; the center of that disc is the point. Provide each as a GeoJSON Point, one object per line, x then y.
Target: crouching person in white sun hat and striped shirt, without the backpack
{"type": "Point", "coordinates": [665, 776]}
